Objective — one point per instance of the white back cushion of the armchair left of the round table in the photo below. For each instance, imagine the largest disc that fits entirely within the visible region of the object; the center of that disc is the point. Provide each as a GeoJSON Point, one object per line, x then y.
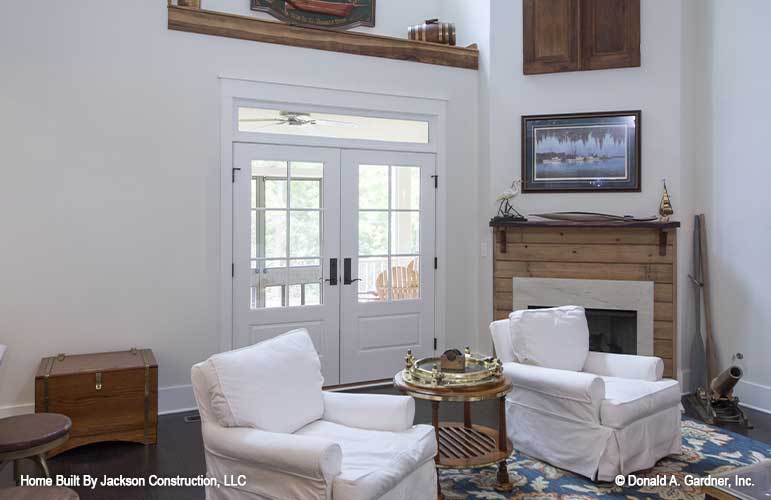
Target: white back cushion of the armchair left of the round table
{"type": "Point", "coordinates": [274, 385]}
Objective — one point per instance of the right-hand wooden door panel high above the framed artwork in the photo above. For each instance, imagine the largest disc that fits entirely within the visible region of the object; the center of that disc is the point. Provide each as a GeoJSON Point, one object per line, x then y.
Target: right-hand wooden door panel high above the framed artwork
{"type": "Point", "coordinates": [610, 34]}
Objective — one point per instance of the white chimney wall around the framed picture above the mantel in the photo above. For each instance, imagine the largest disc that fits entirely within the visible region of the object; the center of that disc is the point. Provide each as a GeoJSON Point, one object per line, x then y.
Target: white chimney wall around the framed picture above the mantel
{"type": "Point", "coordinates": [653, 88]}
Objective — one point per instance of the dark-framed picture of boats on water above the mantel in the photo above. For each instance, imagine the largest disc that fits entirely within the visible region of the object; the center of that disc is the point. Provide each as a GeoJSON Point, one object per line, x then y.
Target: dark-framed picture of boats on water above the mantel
{"type": "Point", "coordinates": [581, 152]}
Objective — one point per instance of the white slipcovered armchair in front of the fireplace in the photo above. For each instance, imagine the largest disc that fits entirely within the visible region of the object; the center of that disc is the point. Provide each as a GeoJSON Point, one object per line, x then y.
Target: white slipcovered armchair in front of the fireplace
{"type": "Point", "coordinates": [592, 413]}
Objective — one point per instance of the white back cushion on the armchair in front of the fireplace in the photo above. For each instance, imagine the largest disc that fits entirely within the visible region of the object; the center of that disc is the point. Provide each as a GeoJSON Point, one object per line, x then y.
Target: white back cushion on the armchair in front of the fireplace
{"type": "Point", "coordinates": [556, 337]}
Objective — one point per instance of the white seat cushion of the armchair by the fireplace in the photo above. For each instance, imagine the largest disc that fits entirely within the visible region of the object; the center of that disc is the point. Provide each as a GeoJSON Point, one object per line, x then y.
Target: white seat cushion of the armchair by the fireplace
{"type": "Point", "coordinates": [628, 400]}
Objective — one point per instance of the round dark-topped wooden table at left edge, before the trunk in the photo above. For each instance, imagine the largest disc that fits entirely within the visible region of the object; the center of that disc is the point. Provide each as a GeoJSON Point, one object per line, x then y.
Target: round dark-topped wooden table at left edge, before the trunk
{"type": "Point", "coordinates": [31, 436]}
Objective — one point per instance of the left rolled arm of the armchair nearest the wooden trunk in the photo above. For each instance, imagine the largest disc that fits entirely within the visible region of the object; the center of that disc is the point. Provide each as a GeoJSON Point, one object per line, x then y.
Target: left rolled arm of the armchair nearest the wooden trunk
{"type": "Point", "coordinates": [303, 456]}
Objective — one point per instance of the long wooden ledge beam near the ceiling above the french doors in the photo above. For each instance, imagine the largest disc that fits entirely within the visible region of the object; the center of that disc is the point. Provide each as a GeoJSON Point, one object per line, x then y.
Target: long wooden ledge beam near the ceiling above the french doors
{"type": "Point", "coordinates": [209, 22]}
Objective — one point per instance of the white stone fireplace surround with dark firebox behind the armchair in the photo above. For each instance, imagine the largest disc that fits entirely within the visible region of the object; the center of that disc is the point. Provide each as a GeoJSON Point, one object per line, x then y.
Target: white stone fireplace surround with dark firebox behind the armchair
{"type": "Point", "coordinates": [619, 313]}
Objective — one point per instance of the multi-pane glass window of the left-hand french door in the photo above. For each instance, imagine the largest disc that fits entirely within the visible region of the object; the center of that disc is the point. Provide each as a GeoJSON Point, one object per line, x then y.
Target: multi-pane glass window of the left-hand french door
{"type": "Point", "coordinates": [286, 222]}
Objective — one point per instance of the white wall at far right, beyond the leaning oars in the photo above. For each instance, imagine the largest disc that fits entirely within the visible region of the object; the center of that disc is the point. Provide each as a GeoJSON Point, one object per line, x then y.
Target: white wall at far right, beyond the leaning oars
{"type": "Point", "coordinates": [736, 198]}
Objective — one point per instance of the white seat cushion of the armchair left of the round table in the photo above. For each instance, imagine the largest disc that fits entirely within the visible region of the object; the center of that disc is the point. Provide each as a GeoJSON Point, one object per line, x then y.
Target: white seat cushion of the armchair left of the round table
{"type": "Point", "coordinates": [374, 462]}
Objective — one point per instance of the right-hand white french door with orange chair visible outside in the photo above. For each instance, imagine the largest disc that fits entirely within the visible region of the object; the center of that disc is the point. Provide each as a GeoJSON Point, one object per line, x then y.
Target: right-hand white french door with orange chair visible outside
{"type": "Point", "coordinates": [387, 212]}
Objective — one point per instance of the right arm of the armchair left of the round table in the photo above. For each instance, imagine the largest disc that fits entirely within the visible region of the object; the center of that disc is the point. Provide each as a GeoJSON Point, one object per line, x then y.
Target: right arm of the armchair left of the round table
{"type": "Point", "coordinates": [369, 411]}
